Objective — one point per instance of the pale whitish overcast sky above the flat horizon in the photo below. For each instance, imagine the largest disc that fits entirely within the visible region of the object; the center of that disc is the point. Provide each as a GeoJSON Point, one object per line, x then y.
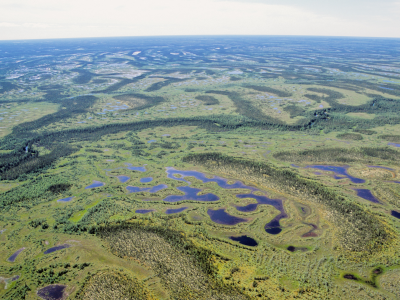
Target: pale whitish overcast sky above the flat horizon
{"type": "Point", "coordinates": [42, 19]}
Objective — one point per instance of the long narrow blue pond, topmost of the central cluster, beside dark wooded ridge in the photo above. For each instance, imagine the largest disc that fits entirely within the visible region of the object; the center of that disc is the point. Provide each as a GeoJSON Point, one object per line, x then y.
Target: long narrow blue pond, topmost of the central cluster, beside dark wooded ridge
{"type": "Point", "coordinates": [222, 182]}
